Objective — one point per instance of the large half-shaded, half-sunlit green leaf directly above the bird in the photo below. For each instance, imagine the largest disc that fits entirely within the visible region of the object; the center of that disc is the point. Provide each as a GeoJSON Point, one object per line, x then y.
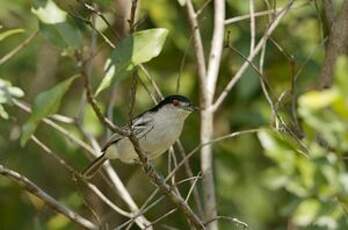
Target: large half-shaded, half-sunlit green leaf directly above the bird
{"type": "Point", "coordinates": [135, 49]}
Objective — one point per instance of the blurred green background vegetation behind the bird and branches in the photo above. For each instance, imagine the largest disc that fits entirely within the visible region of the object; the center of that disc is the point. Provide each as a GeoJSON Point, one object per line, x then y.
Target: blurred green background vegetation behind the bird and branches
{"type": "Point", "coordinates": [270, 180]}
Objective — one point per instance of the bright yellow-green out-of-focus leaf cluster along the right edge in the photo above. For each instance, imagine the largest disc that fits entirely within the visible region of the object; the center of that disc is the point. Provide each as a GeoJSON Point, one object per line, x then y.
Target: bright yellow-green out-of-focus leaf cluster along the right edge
{"type": "Point", "coordinates": [319, 181]}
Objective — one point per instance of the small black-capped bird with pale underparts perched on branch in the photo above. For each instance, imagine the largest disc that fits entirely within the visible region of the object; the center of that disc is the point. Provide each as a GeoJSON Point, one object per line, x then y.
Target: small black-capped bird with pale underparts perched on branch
{"type": "Point", "coordinates": [156, 130]}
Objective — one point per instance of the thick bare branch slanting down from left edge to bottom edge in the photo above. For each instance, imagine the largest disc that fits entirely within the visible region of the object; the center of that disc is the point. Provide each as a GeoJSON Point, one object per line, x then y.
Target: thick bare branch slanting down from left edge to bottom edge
{"type": "Point", "coordinates": [46, 198]}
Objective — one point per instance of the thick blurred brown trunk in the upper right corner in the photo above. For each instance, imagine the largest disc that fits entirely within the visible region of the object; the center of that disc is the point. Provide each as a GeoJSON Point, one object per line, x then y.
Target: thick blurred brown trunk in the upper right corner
{"type": "Point", "coordinates": [338, 44]}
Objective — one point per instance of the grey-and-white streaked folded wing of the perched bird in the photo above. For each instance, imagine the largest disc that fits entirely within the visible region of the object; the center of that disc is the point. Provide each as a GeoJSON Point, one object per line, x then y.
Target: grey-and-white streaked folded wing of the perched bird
{"type": "Point", "coordinates": [141, 126]}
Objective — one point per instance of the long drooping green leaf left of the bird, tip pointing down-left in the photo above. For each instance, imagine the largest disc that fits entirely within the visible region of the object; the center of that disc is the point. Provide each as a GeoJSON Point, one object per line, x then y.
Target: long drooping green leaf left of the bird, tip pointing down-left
{"type": "Point", "coordinates": [45, 104]}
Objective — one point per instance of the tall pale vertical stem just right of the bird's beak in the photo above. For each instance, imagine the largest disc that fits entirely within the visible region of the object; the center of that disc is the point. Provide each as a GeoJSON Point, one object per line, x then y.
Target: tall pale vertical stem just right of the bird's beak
{"type": "Point", "coordinates": [207, 115]}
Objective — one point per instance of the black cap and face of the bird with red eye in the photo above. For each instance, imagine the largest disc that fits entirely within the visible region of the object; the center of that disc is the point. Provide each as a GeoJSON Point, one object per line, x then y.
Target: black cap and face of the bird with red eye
{"type": "Point", "coordinates": [177, 101]}
